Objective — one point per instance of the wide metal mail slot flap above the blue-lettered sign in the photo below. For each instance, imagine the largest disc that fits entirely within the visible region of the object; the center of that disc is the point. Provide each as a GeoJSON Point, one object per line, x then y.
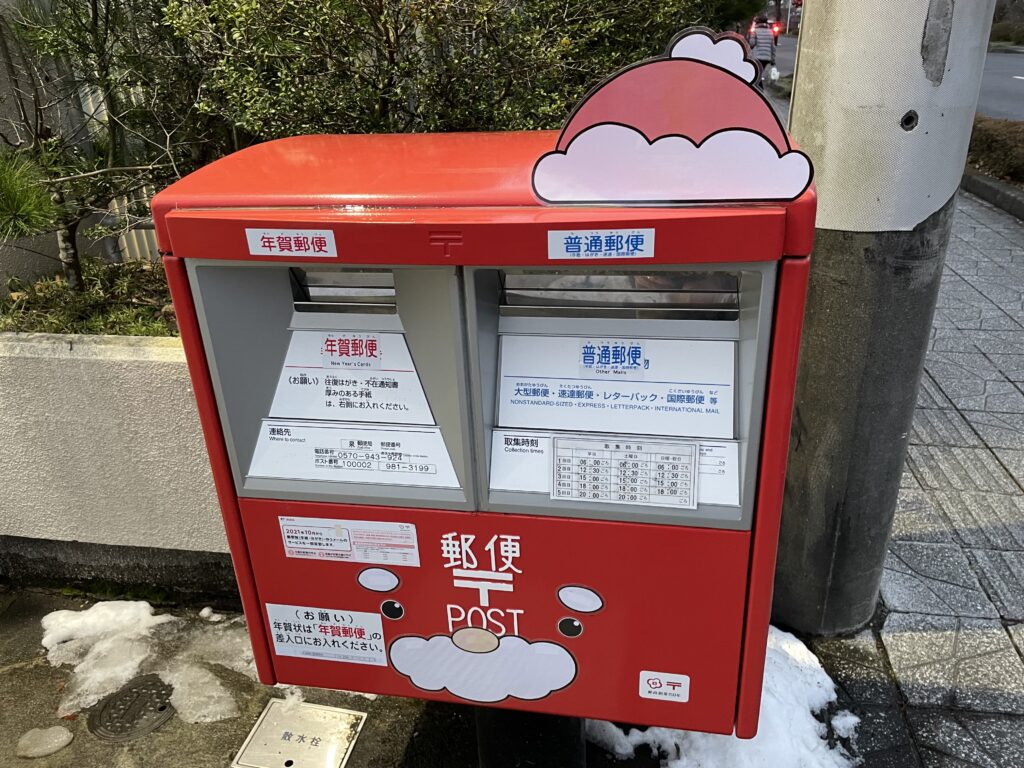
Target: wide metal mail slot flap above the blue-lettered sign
{"type": "Point", "coordinates": [660, 295]}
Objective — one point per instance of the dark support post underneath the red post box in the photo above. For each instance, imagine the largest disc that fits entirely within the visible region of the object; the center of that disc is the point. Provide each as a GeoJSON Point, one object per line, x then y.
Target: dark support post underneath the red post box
{"type": "Point", "coordinates": [507, 739]}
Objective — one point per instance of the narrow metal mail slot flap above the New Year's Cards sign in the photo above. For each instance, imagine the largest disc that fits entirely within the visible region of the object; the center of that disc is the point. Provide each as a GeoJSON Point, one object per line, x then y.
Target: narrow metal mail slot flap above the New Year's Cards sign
{"type": "Point", "coordinates": [345, 290]}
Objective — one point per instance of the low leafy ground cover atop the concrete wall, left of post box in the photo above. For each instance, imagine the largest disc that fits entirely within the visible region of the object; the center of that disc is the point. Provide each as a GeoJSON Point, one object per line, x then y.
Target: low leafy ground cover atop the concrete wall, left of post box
{"type": "Point", "coordinates": [129, 300]}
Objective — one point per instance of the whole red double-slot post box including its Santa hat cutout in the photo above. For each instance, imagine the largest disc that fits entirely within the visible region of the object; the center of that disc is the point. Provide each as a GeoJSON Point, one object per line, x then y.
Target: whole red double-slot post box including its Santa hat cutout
{"type": "Point", "coordinates": [503, 418]}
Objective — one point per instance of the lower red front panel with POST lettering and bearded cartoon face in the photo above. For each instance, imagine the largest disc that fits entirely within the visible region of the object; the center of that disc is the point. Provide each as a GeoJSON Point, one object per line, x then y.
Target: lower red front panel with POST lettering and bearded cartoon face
{"type": "Point", "coordinates": [670, 620]}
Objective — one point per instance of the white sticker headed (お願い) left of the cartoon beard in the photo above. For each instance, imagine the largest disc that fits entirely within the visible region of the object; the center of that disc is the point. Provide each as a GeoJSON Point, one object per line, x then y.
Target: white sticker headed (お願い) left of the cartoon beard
{"type": "Point", "coordinates": [329, 634]}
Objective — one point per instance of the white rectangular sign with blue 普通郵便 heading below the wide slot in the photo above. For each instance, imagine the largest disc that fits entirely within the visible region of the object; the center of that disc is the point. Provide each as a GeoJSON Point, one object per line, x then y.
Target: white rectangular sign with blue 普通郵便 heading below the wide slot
{"type": "Point", "coordinates": [671, 388]}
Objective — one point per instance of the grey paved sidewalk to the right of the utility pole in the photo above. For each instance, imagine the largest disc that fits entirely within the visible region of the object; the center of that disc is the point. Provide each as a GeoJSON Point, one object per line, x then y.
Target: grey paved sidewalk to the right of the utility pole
{"type": "Point", "coordinates": [940, 678]}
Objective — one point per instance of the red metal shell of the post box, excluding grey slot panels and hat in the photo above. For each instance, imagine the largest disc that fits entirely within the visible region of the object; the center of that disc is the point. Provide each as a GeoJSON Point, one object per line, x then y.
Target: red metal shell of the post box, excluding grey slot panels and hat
{"type": "Point", "coordinates": [685, 610]}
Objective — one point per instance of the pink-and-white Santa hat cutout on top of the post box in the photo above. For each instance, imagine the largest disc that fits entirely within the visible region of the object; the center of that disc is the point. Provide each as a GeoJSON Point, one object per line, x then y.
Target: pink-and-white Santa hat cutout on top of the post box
{"type": "Point", "coordinates": [689, 127]}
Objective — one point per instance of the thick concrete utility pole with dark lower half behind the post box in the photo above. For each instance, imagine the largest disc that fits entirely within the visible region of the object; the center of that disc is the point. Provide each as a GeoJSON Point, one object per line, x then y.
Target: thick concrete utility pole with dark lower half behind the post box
{"type": "Point", "coordinates": [883, 103]}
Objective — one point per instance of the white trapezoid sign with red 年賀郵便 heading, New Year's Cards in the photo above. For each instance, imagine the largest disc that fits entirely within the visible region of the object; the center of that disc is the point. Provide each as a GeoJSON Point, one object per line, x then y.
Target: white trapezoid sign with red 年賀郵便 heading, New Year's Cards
{"type": "Point", "coordinates": [348, 376]}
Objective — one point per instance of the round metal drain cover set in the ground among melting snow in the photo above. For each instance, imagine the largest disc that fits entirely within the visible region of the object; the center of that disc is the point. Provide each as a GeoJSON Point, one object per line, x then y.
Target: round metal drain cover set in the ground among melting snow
{"type": "Point", "coordinates": [140, 708]}
